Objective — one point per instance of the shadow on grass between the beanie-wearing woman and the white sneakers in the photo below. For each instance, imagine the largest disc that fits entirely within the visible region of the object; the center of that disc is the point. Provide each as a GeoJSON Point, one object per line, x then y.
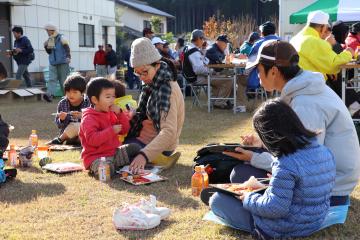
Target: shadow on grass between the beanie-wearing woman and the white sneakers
{"type": "Point", "coordinates": [167, 191]}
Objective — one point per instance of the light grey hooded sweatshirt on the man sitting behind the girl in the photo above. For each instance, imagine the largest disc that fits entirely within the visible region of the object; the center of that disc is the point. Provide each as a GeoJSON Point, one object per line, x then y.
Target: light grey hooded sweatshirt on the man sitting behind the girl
{"type": "Point", "coordinates": [319, 108]}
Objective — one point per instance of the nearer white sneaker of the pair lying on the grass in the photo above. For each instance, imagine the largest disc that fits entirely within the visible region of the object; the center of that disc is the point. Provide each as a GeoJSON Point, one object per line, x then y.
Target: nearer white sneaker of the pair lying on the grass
{"type": "Point", "coordinates": [133, 218]}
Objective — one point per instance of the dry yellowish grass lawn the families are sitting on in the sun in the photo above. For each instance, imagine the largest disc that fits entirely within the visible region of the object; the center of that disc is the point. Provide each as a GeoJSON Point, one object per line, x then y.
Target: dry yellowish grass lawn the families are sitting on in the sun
{"type": "Point", "coordinates": [41, 205]}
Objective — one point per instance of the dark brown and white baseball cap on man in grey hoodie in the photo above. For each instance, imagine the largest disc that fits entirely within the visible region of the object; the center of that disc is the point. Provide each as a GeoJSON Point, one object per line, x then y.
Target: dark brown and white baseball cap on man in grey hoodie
{"type": "Point", "coordinates": [275, 52]}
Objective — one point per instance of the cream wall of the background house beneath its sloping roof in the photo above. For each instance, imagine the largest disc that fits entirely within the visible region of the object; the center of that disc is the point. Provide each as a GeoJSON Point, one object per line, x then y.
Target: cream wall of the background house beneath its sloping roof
{"type": "Point", "coordinates": [135, 19]}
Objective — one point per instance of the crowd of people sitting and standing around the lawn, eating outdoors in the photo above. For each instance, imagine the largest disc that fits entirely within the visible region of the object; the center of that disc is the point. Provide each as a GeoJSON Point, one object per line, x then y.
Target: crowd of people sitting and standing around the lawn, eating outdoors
{"type": "Point", "coordinates": [302, 133]}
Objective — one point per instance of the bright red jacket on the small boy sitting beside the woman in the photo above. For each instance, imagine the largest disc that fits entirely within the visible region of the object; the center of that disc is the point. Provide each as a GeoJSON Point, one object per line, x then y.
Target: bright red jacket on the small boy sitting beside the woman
{"type": "Point", "coordinates": [97, 135]}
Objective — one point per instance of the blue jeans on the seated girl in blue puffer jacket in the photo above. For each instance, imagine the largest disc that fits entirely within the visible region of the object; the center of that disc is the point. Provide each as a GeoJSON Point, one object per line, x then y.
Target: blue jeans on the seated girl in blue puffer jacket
{"type": "Point", "coordinates": [232, 211]}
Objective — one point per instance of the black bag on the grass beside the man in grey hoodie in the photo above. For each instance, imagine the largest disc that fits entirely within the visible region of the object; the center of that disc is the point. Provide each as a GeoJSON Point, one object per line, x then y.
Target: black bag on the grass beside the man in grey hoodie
{"type": "Point", "coordinates": [219, 166]}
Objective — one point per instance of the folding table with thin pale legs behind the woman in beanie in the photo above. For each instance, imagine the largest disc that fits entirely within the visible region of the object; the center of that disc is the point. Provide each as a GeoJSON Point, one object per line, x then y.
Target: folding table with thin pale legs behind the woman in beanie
{"type": "Point", "coordinates": [225, 78]}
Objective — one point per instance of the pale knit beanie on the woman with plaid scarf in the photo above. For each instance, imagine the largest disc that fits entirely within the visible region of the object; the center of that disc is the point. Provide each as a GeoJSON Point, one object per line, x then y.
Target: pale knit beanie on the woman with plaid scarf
{"type": "Point", "coordinates": [143, 53]}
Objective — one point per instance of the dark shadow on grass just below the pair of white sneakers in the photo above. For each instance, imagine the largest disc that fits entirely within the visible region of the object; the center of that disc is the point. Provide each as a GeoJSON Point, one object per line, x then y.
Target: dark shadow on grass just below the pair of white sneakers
{"type": "Point", "coordinates": [148, 234]}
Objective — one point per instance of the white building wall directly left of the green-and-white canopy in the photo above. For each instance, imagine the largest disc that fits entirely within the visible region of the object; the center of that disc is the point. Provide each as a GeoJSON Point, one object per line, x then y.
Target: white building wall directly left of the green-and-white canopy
{"type": "Point", "coordinates": [286, 8]}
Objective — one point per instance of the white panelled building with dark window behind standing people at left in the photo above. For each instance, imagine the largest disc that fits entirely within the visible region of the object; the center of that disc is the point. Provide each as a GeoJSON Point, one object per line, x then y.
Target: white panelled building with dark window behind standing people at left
{"type": "Point", "coordinates": [85, 23]}
